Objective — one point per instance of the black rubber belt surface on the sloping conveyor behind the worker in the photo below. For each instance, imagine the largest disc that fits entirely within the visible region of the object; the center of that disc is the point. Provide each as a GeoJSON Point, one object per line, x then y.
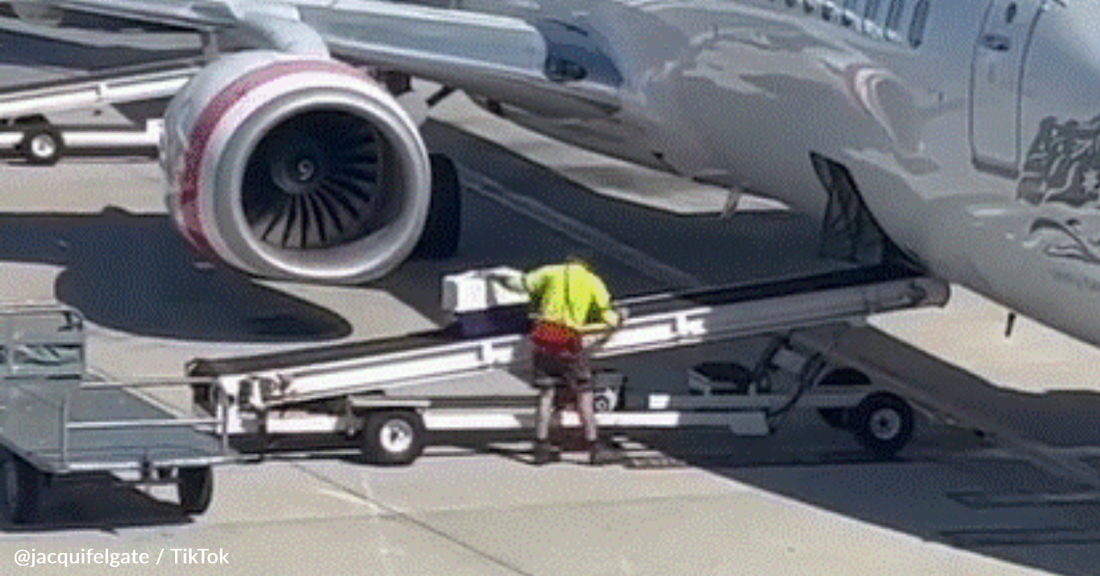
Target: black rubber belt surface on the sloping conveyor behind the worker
{"type": "Point", "coordinates": [639, 307]}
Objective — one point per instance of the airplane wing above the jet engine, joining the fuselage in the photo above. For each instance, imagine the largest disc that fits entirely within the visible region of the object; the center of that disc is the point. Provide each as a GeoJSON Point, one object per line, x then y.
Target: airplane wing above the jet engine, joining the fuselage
{"type": "Point", "coordinates": [545, 67]}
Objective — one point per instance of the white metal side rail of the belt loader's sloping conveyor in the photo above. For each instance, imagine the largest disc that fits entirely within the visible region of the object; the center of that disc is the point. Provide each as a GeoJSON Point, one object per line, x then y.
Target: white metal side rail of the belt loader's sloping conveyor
{"type": "Point", "coordinates": [644, 334]}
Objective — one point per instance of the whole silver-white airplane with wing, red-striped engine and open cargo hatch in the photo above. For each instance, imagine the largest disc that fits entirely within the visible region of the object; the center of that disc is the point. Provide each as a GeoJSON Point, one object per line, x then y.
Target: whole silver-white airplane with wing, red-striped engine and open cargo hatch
{"type": "Point", "coordinates": [960, 137]}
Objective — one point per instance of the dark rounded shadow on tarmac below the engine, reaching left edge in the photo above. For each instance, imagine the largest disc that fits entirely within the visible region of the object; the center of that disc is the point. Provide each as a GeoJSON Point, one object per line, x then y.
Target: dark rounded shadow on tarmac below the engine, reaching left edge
{"type": "Point", "coordinates": [131, 273]}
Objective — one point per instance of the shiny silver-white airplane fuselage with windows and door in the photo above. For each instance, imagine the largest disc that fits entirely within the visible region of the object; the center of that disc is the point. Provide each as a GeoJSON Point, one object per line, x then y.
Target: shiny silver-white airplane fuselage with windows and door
{"type": "Point", "coordinates": [970, 129]}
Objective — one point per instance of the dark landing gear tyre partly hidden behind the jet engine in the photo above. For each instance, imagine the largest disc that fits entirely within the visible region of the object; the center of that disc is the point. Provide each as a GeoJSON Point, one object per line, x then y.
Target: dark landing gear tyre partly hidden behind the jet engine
{"type": "Point", "coordinates": [441, 238]}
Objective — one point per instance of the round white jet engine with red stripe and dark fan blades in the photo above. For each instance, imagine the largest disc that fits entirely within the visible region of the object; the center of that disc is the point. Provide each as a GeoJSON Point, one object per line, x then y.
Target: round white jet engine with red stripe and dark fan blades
{"type": "Point", "coordinates": [295, 168]}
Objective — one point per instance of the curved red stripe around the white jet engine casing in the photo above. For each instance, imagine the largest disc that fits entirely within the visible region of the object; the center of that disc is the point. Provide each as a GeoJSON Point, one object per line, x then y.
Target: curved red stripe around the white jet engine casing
{"type": "Point", "coordinates": [208, 121]}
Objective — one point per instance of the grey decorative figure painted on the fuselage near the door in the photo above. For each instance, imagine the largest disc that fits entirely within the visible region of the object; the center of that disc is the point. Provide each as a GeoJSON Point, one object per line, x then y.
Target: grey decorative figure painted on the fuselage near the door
{"type": "Point", "coordinates": [1063, 170]}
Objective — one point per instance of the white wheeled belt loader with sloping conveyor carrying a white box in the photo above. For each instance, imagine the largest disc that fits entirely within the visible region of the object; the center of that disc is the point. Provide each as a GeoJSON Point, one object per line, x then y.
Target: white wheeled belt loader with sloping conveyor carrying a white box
{"type": "Point", "coordinates": [471, 376]}
